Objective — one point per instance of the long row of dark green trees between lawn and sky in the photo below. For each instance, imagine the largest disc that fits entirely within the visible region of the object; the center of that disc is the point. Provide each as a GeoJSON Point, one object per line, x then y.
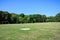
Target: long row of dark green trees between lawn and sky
{"type": "Point", "coordinates": [6, 17]}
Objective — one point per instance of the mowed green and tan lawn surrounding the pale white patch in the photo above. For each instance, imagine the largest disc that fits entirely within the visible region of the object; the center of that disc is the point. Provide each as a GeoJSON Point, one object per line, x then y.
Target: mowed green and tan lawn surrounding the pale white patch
{"type": "Point", "coordinates": [38, 31]}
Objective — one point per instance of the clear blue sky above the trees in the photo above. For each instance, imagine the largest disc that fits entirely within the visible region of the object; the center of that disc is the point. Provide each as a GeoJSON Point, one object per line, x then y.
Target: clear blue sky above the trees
{"type": "Point", "coordinates": [46, 7]}
